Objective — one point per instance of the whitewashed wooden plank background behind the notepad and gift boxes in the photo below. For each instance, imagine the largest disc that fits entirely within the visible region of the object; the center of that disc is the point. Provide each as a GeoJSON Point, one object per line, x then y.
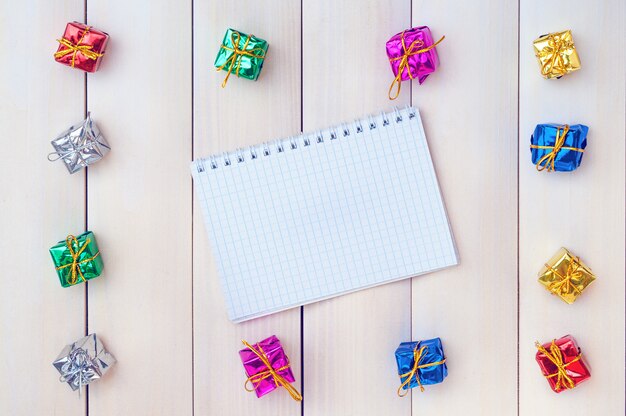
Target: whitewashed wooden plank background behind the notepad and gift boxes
{"type": "Point", "coordinates": [158, 306]}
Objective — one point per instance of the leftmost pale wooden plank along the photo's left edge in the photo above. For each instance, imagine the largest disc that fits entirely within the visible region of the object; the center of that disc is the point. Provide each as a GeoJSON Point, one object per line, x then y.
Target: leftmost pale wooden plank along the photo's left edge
{"type": "Point", "coordinates": [40, 204]}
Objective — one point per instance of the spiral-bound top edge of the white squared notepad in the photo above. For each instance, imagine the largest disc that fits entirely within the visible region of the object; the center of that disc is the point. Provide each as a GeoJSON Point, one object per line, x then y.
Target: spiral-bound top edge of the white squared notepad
{"type": "Point", "coordinates": [293, 143]}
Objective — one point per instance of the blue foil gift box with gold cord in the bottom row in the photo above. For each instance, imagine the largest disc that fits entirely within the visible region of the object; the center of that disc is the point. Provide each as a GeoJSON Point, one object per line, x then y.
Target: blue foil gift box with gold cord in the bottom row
{"type": "Point", "coordinates": [420, 363]}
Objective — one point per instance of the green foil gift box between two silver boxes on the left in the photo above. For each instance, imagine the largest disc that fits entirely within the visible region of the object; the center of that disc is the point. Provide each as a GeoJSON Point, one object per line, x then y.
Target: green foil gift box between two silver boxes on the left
{"type": "Point", "coordinates": [77, 259]}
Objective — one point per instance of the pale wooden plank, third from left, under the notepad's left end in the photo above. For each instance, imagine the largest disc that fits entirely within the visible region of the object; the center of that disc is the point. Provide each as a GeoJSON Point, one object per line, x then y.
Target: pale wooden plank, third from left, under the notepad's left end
{"type": "Point", "coordinates": [244, 113]}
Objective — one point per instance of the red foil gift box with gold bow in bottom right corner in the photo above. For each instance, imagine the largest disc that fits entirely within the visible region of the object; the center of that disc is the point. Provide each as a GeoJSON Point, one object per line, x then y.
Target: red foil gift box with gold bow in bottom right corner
{"type": "Point", "coordinates": [561, 363]}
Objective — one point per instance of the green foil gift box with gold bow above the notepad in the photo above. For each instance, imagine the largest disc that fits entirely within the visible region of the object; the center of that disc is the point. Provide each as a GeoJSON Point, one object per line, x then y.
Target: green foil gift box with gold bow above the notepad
{"type": "Point", "coordinates": [241, 54]}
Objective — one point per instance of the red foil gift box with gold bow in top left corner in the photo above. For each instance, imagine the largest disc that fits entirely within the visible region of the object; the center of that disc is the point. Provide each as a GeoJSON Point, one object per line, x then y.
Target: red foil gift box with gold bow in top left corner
{"type": "Point", "coordinates": [81, 47]}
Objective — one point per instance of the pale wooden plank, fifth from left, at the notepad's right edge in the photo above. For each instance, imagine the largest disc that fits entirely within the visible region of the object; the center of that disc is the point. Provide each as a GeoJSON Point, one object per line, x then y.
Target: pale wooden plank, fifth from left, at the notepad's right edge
{"type": "Point", "coordinates": [469, 108]}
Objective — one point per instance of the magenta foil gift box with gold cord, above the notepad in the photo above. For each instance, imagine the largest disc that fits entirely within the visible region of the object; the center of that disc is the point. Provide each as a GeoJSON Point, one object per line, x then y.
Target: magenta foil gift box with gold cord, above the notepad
{"type": "Point", "coordinates": [412, 54]}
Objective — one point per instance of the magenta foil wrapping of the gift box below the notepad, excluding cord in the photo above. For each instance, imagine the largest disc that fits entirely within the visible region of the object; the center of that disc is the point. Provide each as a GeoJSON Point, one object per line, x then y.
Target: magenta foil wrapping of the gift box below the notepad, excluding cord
{"type": "Point", "coordinates": [275, 354]}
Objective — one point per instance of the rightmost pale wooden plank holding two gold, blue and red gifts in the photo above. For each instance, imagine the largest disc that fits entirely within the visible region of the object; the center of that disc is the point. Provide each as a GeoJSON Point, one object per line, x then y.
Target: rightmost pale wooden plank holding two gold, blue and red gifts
{"type": "Point", "coordinates": [582, 210]}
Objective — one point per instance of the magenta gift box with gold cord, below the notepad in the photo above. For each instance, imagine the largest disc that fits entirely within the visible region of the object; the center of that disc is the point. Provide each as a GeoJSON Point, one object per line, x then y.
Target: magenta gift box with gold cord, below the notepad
{"type": "Point", "coordinates": [267, 368]}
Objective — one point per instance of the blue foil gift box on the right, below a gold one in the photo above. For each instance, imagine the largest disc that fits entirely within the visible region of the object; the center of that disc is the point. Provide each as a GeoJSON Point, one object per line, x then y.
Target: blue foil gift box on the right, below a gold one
{"type": "Point", "coordinates": [558, 147]}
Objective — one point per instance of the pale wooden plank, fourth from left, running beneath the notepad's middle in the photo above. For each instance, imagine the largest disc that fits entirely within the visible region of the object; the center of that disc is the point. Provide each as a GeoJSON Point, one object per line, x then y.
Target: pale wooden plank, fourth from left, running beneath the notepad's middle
{"type": "Point", "coordinates": [349, 342]}
